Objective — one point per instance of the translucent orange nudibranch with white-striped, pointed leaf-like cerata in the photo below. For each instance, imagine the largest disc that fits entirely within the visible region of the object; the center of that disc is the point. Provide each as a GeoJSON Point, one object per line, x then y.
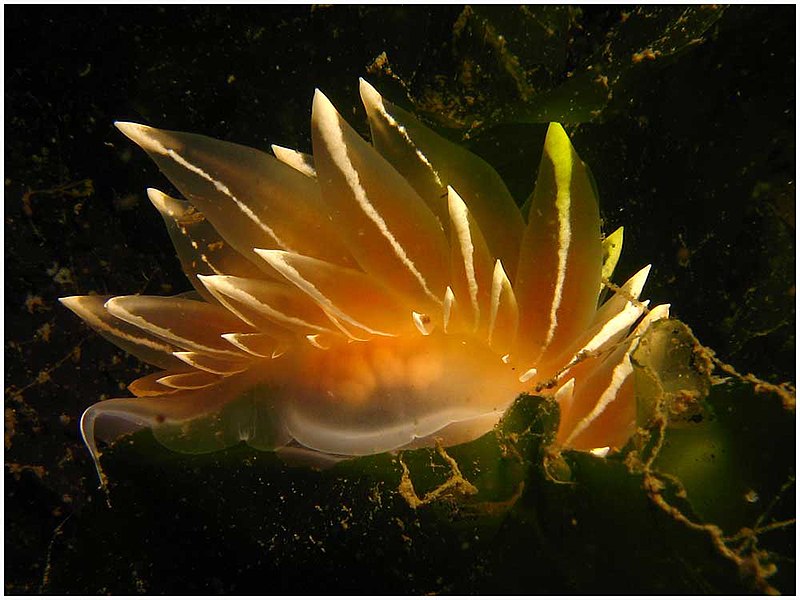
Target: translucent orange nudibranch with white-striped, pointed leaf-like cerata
{"type": "Point", "coordinates": [373, 297]}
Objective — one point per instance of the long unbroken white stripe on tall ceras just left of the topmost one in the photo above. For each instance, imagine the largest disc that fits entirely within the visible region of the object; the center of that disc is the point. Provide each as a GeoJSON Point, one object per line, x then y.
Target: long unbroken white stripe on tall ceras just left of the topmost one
{"type": "Point", "coordinates": [334, 140]}
